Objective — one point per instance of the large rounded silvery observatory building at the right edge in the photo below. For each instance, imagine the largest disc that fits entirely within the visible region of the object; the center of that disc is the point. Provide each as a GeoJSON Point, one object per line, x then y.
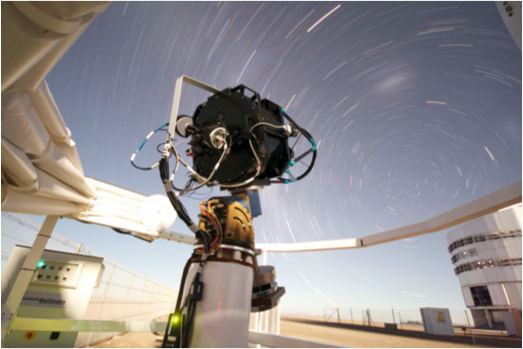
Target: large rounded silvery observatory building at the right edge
{"type": "Point", "coordinates": [486, 253]}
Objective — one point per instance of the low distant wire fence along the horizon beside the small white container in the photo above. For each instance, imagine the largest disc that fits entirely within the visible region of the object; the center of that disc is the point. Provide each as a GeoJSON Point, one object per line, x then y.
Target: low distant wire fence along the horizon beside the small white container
{"type": "Point", "coordinates": [377, 317]}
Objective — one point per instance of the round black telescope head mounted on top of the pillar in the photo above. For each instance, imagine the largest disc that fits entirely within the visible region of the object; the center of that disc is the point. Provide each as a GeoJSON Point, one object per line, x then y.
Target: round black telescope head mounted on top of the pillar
{"type": "Point", "coordinates": [230, 114]}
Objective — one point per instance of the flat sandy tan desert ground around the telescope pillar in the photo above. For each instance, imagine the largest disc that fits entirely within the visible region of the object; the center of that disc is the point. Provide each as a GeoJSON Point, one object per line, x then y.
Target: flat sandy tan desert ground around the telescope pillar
{"type": "Point", "coordinates": [345, 334]}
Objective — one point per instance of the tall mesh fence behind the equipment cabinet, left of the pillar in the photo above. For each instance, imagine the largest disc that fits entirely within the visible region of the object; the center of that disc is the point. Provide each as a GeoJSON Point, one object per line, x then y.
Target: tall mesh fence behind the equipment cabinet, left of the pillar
{"type": "Point", "coordinates": [122, 295]}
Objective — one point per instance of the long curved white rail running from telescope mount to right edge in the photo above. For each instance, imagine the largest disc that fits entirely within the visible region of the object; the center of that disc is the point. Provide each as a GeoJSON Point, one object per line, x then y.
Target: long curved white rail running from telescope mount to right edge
{"type": "Point", "coordinates": [490, 203]}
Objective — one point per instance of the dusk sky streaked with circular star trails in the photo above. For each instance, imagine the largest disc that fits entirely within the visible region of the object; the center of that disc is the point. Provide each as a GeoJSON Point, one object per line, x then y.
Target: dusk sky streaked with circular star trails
{"type": "Point", "coordinates": [415, 107]}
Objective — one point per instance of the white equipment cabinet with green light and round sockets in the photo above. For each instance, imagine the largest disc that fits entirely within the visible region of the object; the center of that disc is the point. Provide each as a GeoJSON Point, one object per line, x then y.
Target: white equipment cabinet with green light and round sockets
{"type": "Point", "coordinates": [60, 288]}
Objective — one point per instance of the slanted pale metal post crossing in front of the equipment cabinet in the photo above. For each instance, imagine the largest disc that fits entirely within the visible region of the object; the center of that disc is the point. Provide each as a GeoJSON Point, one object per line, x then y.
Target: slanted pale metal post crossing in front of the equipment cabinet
{"type": "Point", "coordinates": [10, 308]}
